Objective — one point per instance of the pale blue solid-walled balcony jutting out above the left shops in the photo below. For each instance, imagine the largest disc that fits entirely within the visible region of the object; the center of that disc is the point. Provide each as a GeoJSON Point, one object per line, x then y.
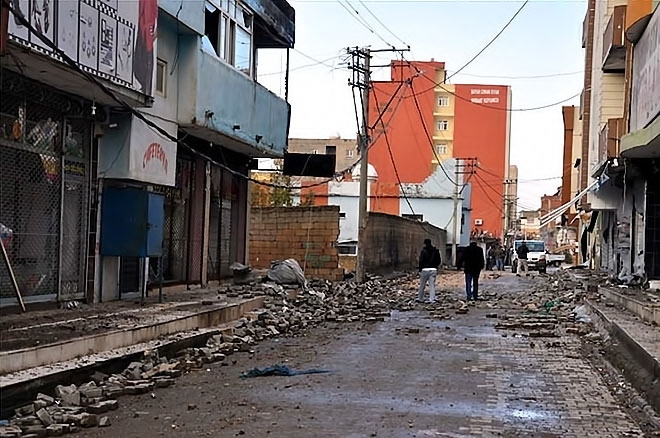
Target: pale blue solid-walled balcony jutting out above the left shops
{"type": "Point", "coordinates": [225, 106]}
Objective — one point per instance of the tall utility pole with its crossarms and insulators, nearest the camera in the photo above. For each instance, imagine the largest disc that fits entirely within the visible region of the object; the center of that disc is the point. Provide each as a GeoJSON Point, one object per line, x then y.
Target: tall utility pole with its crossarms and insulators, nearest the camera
{"type": "Point", "coordinates": [361, 79]}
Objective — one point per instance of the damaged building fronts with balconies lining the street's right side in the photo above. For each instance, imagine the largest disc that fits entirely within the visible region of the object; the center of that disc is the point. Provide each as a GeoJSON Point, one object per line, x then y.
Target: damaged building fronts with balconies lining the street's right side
{"type": "Point", "coordinates": [619, 114]}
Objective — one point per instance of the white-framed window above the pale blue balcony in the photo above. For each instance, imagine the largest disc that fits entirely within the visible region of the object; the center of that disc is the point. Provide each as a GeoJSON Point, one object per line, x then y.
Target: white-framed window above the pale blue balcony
{"type": "Point", "coordinates": [229, 30]}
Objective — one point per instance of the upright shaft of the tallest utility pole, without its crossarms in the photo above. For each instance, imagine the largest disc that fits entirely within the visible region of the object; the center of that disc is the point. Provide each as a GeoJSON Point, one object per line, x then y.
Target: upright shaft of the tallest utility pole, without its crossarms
{"type": "Point", "coordinates": [364, 169]}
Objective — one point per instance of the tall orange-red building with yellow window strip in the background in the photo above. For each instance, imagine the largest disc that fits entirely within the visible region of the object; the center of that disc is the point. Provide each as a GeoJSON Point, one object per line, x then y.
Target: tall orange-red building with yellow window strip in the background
{"type": "Point", "coordinates": [456, 121]}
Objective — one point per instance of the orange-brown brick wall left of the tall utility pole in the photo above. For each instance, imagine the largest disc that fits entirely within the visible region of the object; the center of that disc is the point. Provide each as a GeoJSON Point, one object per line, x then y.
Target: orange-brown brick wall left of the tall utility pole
{"type": "Point", "coordinates": [307, 234]}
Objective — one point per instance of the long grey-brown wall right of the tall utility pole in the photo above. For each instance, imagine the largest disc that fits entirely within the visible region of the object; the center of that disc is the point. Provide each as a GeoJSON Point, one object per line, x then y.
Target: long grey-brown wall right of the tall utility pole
{"type": "Point", "coordinates": [395, 243]}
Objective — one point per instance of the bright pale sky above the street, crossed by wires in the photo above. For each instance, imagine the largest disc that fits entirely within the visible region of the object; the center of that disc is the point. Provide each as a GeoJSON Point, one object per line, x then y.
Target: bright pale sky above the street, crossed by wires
{"type": "Point", "coordinates": [544, 40]}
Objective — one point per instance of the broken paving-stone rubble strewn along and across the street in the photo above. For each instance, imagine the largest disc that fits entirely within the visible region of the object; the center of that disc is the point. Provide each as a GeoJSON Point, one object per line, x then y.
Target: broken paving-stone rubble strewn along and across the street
{"type": "Point", "coordinates": [548, 308]}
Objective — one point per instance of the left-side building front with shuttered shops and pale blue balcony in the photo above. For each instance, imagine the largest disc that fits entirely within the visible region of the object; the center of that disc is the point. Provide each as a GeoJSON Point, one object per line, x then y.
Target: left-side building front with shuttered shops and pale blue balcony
{"type": "Point", "coordinates": [163, 126]}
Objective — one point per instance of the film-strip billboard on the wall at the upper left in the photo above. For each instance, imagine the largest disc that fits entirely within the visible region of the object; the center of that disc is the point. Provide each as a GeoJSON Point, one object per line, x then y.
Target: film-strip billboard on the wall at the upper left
{"type": "Point", "coordinates": [115, 40]}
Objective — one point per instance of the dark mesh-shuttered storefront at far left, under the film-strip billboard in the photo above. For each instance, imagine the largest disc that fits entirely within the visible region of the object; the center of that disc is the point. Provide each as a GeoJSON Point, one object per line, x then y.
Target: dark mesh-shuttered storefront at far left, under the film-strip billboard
{"type": "Point", "coordinates": [45, 142]}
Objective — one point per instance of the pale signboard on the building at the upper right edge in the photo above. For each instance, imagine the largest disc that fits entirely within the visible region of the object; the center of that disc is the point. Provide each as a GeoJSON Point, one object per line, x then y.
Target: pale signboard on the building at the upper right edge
{"type": "Point", "coordinates": [645, 105]}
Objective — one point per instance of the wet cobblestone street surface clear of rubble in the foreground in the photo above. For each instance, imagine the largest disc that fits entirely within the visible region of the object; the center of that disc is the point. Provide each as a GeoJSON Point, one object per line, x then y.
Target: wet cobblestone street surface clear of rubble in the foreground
{"type": "Point", "coordinates": [410, 376]}
